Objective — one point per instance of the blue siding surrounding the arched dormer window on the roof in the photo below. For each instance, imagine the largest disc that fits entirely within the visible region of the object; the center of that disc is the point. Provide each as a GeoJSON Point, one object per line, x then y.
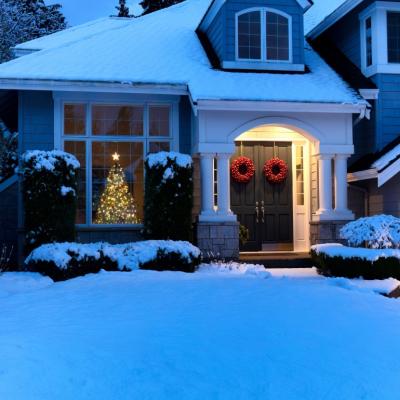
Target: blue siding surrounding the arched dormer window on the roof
{"type": "Point", "coordinates": [222, 36]}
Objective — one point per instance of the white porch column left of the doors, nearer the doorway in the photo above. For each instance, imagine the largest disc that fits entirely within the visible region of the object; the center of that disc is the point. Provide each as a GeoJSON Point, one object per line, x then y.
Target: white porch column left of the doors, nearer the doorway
{"type": "Point", "coordinates": [224, 187]}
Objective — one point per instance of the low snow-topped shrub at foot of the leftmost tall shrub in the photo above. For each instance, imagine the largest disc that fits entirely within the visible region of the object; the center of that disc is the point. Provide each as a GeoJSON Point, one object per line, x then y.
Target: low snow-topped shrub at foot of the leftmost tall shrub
{"type": "Point", "coordinates": [62, 261]}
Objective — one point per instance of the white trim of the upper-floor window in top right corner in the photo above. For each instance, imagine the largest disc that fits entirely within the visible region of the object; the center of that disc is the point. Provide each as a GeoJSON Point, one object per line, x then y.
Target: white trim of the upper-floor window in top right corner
{"type": "Point", "coordinates": [378, 14]}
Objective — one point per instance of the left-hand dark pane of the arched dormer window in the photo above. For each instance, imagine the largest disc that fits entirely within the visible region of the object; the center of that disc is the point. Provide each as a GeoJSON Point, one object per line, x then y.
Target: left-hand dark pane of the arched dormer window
{"type": "Point", "coordinates": [249, 35]}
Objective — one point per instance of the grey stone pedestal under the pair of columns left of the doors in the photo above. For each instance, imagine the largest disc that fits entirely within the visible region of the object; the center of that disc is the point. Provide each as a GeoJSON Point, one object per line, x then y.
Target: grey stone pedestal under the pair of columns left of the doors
{"type": "Point", "coordinates": [219, 240]}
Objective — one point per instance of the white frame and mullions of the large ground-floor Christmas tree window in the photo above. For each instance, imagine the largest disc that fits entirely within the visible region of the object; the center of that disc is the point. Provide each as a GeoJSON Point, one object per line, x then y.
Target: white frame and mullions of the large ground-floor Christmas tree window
{"type": "Point", "coordinates": [93, 99]}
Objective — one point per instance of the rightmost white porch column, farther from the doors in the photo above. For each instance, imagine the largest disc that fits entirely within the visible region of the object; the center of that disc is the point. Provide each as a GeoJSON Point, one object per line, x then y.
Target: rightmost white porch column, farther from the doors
{"type": "Point", "coordinates": [341, 206]}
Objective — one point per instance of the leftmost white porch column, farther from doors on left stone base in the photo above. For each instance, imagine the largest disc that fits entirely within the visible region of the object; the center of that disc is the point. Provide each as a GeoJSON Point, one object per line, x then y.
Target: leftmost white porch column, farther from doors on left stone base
{"type": "Point", "coordinates": [207, 186]}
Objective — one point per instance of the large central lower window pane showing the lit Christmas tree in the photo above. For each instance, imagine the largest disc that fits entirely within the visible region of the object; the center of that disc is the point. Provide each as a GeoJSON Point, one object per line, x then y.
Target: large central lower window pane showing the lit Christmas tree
{"type": "Point", "coordinates": [117, 184]}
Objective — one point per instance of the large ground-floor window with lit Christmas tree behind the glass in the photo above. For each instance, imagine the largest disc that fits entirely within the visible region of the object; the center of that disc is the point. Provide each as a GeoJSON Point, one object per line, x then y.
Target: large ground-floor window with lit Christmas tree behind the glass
{"type": "Point", "coordinates": [111, 142]}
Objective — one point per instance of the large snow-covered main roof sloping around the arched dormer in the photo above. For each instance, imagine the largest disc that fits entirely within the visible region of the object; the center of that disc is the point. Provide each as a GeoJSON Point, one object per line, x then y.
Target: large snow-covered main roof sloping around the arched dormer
{"type": "Point", "coordinates": [163, 48]}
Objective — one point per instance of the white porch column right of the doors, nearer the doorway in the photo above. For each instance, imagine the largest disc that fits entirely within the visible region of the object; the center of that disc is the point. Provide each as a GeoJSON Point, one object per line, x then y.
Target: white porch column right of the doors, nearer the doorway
{"type": "Point", "coordinates": [325, 186]}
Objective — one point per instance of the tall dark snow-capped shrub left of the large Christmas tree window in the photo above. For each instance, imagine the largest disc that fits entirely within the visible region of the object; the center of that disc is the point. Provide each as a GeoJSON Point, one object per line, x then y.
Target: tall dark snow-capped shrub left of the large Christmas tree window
{"type": "Point", "coordinates": [49, 192]}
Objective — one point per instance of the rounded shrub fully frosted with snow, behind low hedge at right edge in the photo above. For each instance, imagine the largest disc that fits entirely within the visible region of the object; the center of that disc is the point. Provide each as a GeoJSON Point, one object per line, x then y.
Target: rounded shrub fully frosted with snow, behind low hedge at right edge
{"type": "Point", "coordinates": [377, 232]}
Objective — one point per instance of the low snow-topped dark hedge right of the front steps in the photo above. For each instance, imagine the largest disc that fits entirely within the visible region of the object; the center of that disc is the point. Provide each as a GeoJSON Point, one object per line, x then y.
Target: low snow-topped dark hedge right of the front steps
{"type": "Point", "coordinates": [349, 262]}
